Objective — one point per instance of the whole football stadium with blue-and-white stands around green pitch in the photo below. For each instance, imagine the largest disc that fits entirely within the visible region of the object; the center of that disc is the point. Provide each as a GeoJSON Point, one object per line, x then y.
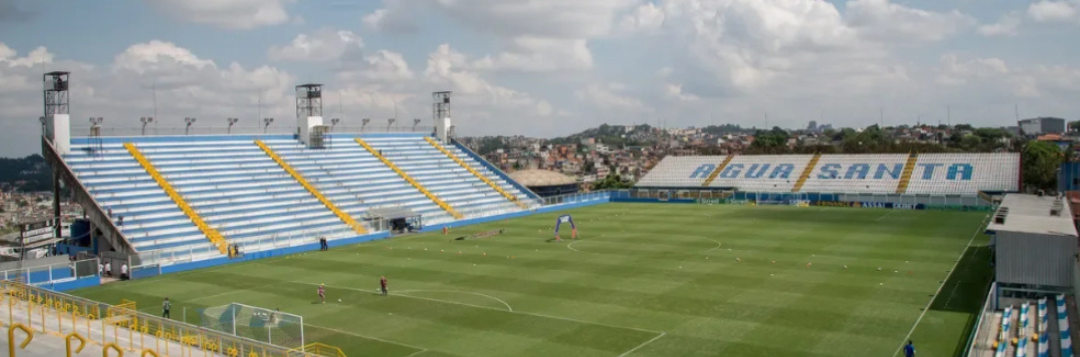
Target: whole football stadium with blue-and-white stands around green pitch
{"type": "Point", "coordinates": [403, 242]}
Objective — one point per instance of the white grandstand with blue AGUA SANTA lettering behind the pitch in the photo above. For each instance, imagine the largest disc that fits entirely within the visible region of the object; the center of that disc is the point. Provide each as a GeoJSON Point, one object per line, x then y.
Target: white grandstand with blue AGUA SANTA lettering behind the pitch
{"type": "Point", "coordinates": [963, 174]}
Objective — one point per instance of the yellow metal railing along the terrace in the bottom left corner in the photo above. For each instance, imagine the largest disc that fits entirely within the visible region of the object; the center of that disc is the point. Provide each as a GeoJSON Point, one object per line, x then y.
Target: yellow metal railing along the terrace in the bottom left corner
{"type": "Point", "coordinates": [138, 334]}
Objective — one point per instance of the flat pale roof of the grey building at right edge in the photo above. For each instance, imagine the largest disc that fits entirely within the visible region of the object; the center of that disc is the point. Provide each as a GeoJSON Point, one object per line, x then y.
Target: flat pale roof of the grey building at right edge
{"type": "Point", "coordinates": [1031, 214]}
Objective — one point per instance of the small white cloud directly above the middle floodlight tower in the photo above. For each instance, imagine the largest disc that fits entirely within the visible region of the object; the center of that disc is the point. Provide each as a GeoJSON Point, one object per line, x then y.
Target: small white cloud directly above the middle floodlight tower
{"type": "Point", "coordinates": [322, 47]}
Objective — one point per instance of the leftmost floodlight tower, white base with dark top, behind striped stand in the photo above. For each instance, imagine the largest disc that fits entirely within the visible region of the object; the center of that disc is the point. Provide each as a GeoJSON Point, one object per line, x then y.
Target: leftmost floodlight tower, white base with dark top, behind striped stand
{"type": "Point", "coordinates": [58, 118]}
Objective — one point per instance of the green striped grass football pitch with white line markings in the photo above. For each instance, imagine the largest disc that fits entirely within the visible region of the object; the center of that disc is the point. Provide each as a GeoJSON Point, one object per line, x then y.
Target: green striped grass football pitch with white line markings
{"type": "Point", "coordinates": [645, 280]}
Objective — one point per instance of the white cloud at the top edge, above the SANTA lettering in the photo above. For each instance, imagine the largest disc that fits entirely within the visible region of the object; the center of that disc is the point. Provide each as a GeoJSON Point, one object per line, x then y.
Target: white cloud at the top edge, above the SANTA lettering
{"type": "Point", "coordinates": [884, 21]}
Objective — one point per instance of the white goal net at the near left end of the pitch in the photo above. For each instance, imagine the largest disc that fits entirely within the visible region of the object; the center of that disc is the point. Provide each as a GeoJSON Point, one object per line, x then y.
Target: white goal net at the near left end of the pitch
{"type": "Point", "coordinates": [267, 325]}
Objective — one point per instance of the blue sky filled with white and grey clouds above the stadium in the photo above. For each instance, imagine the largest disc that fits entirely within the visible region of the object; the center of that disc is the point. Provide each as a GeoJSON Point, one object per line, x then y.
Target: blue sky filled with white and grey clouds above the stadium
{"type": "Point", "coordinates": [544, 67]}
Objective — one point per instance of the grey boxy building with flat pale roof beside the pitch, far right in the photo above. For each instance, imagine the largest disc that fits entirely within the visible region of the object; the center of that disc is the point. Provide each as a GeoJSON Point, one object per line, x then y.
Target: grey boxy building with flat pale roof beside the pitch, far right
{"type": "Point", "coordinates": [1034, 246]}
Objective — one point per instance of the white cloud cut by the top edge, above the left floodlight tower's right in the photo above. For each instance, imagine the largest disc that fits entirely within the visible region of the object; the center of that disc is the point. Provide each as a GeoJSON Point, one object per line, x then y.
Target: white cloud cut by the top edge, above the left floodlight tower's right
{"type": "Point", "coordinates": [235, 15]}
